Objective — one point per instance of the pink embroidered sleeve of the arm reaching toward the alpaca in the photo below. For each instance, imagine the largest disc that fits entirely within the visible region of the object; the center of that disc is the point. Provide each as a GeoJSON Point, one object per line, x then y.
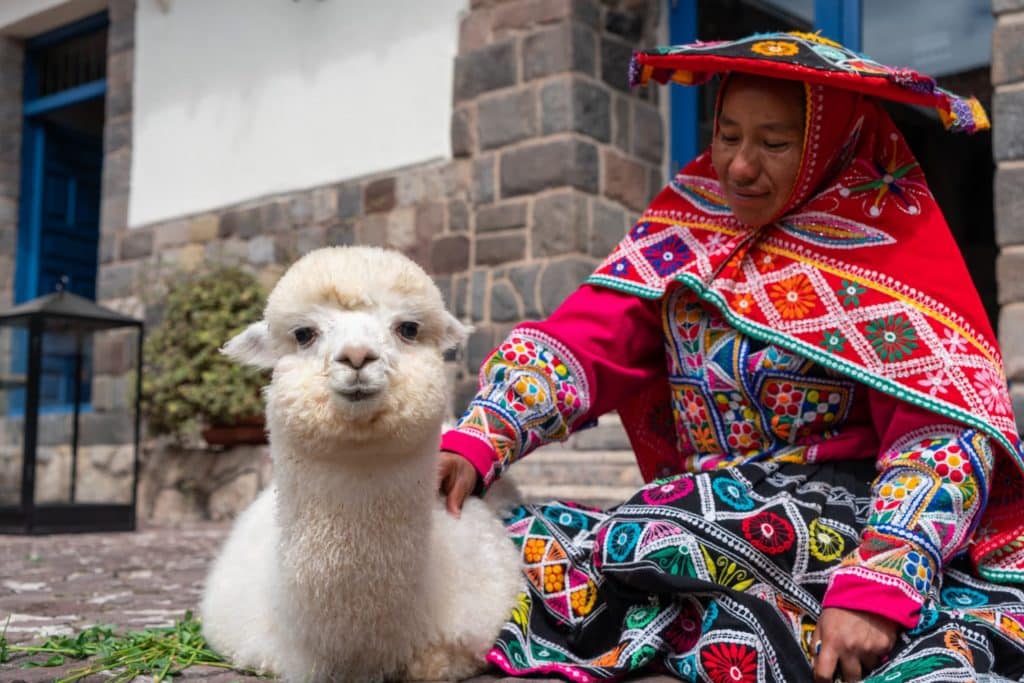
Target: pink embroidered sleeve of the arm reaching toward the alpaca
{"type": "Point", "coordinates": [550, 378]}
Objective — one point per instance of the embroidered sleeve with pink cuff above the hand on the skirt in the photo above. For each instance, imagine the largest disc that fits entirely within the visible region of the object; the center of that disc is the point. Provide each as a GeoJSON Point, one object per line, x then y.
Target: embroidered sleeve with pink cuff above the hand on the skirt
{"type": "Point", "coordinates": [910, 537]}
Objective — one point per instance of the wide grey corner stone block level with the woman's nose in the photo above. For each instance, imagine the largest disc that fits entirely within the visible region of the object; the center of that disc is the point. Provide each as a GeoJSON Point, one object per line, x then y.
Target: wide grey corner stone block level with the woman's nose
{"type": "Point", "coordinates": [544, 165]}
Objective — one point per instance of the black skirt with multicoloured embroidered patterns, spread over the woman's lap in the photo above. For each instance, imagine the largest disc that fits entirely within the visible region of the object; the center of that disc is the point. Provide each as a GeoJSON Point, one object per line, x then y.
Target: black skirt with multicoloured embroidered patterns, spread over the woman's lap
{"type": "Point", "coordinates": [719, 577]}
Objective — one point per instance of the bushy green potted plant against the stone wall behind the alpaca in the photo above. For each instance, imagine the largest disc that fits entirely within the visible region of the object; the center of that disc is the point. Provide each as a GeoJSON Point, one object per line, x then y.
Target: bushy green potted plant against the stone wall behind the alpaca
{"type": "Point", "coordinates": [189, 388]}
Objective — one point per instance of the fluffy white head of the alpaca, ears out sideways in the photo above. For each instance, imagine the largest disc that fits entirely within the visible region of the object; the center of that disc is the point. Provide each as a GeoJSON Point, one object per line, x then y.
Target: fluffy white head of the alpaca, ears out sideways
{"type": "Point", "coordinates": [355, 336]}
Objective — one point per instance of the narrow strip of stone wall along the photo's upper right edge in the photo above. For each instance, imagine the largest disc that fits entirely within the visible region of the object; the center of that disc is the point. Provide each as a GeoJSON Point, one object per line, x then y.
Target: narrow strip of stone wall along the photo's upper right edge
{"type": "Point", "coordinates": [1008, 146]}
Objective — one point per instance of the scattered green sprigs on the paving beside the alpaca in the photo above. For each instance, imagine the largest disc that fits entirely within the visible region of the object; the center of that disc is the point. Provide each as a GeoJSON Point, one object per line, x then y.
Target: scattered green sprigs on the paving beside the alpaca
{"type": "Point", "coordinates": [159, 653]}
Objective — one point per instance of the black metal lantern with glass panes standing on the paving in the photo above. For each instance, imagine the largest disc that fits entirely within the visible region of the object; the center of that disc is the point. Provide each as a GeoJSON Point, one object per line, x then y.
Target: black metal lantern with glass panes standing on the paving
{"type": "Point", "coordinates": [70, 380]}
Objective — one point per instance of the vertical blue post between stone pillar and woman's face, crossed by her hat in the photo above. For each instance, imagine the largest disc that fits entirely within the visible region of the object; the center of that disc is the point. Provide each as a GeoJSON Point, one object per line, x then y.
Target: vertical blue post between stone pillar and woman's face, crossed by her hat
{"type": "Point", "coordinates": [685, 136]}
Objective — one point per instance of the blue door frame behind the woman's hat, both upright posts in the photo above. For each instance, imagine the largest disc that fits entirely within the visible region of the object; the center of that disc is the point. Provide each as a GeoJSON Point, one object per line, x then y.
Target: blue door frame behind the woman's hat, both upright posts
{"type": "Point", "coordinates": [839, 20]}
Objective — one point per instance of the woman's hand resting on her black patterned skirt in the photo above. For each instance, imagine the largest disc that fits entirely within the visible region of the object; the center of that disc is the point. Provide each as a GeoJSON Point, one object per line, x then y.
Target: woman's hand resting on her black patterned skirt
{"type": "Point", "coordinates": [852, 644]}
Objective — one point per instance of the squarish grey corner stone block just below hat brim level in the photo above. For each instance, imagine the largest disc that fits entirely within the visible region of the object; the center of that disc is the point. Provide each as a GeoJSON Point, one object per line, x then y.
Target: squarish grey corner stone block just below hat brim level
{"type": "Point", "coordinates": [574, 105]}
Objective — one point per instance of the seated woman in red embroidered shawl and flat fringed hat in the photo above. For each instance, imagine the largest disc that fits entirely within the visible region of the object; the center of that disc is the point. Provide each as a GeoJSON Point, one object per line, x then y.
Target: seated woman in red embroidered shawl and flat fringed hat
{"type": "Point", "coordinates": [827, 411]}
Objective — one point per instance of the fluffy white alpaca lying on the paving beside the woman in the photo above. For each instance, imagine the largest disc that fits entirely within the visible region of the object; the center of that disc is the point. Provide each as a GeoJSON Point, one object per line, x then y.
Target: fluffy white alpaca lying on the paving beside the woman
{"type": "Point", "coordinates": [349, 569]}
